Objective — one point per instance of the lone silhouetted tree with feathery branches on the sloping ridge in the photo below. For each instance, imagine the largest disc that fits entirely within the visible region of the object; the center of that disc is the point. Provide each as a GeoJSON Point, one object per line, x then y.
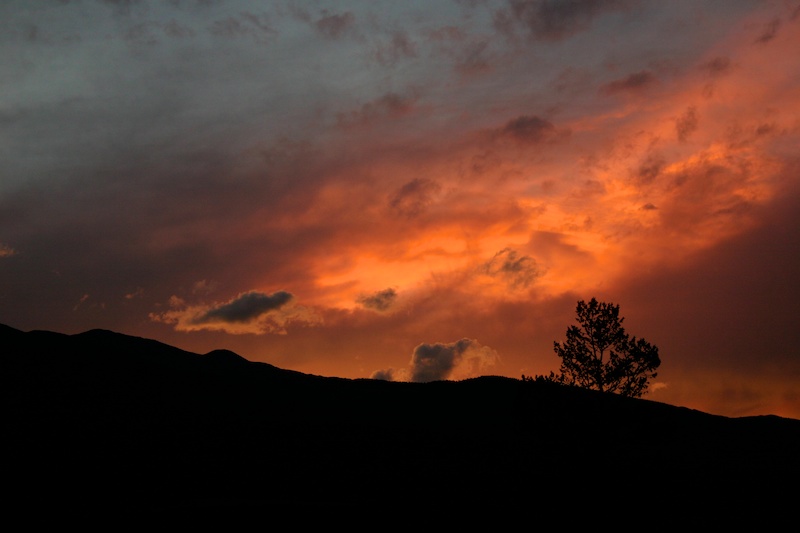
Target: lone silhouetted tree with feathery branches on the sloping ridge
{"type": "Point", "coordinates": [598, 354]}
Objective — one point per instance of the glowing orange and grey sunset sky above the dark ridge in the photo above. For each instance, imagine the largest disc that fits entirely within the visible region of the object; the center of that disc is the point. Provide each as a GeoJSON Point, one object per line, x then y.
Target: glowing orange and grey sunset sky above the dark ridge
{"type": "Point", "coordinates": [413, 190]}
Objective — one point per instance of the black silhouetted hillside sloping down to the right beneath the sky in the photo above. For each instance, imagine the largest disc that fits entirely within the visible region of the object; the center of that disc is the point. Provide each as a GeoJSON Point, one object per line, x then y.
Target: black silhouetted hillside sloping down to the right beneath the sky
{"type": "Point", "coordinates": [101, 418]}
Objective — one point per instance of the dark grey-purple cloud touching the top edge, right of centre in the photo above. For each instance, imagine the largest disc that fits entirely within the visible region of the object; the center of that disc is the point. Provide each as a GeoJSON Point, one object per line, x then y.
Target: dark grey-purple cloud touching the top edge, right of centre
{"type": "Point", "coordinates": [552, 20]}
